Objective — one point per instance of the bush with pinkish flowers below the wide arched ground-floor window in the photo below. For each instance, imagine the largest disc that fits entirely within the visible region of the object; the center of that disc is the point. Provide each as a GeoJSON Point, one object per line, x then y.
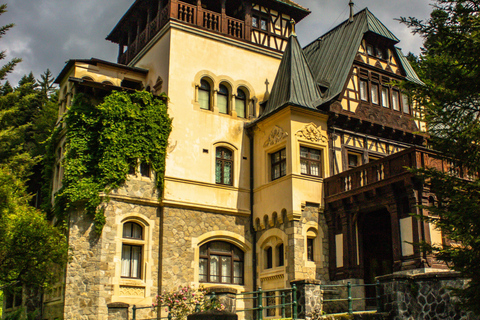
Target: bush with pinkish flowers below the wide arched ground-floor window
{"type": "Point", "coordinates": [186, 300]}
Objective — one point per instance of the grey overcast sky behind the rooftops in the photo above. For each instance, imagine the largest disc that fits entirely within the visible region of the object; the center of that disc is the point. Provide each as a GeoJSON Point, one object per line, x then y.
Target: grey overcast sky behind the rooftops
{"type": "Point", "coordinates": [47, 33]}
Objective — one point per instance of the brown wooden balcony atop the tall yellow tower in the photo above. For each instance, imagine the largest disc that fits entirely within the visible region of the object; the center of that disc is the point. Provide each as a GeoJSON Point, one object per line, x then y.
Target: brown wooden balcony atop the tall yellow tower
{"type": "Point", "coordinates": [188, 14]}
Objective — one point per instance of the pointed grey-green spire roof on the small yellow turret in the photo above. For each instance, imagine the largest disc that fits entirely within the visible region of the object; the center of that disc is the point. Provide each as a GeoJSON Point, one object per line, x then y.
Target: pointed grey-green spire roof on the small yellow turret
{"type": "Point", "coordinates": [294, 83]}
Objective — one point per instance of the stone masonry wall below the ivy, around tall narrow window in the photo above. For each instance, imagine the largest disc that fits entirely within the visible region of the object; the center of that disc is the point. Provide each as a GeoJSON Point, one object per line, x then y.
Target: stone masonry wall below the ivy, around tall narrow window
{"type": "Point", "coordinates": [93, 273]}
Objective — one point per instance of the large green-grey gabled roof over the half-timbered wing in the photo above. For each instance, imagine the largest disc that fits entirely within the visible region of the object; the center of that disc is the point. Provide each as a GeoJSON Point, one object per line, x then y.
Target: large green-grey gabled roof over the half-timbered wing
{"type": "Point", "coordinates": [331, 56]}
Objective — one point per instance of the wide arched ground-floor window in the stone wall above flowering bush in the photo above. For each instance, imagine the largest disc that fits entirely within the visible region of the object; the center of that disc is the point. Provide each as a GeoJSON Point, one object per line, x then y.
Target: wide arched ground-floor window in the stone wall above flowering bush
{"type": "Point", "coordinates": [221, 262]}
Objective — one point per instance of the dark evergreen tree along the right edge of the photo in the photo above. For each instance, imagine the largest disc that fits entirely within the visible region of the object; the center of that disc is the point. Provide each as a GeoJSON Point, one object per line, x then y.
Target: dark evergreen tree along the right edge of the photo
{"type": "Point", "coordinates": [450, 67]}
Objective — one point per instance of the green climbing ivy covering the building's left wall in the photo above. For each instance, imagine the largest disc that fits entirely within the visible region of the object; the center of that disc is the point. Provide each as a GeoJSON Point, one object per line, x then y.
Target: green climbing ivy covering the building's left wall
{"type": "Point", "coordinates": [103, 141]}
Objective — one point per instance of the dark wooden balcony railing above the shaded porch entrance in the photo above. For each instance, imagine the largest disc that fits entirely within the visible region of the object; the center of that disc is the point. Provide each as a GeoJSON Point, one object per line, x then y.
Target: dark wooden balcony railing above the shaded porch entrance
{"type": "Point", "coordinates": [380, 173]}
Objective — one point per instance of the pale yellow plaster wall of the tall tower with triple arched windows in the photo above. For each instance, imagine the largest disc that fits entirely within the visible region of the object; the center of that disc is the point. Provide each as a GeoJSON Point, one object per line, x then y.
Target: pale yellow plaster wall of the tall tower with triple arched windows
{"type": "Point", "coordinates": [190, 169]}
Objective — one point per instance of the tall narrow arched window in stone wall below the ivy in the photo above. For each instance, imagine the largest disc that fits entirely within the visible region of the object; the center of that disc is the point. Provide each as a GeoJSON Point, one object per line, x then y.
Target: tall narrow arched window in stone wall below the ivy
{"type": "Point", "coordinates": [132, 250]}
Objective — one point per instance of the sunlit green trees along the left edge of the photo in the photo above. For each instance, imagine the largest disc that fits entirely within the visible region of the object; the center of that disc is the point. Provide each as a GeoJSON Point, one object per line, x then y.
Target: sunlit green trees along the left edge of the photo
{"type": "Point", "coordinates": [31, 248]}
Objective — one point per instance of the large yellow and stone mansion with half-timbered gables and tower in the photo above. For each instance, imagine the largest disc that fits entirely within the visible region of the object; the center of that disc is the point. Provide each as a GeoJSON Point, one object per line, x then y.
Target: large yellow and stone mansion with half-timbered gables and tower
{"type": "Point", "coordinates": [284, 164]}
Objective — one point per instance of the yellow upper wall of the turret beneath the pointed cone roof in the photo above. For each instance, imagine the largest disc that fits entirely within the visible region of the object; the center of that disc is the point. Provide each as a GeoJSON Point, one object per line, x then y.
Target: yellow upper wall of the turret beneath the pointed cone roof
{"type": "Point", "coordinates": [289, 192]}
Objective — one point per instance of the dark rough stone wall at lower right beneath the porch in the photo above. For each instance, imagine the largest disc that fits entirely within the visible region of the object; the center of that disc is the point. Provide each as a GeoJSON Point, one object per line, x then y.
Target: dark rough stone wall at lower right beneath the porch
{"type": "Point", "coordinates": [422, 296]}
